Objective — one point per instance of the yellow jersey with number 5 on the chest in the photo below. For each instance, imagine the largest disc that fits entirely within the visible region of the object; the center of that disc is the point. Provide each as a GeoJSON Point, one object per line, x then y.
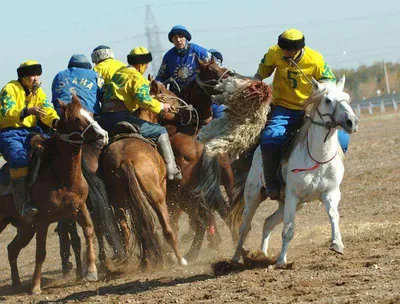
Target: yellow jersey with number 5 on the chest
{"type": "Point", "coordinates": [290, 87]}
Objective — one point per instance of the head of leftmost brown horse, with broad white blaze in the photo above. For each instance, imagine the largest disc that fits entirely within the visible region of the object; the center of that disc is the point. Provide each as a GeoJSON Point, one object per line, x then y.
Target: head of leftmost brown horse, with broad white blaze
{"type": "Point", "coordinates": [77, 125]}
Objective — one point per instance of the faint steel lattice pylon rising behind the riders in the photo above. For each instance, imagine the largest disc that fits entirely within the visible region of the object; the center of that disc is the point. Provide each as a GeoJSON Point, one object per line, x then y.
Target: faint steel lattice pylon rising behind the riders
{"type": "Point", "coordinates": [153, 40]}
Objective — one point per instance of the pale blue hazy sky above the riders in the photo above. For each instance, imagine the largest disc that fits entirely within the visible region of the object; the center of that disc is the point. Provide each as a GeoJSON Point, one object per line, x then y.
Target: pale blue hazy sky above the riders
{"type": "Point", "coordinates": [347, 33]}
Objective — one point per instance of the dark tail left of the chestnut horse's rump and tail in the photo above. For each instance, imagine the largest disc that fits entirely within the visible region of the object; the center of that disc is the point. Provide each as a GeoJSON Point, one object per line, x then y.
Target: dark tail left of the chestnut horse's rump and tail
{"type": "Point", "coordinates": [103, 217]}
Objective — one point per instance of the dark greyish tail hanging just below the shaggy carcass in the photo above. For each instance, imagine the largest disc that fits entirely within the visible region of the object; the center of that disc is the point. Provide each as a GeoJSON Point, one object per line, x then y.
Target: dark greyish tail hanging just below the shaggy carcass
{"type": "Point", "coordinates": [209, 184]}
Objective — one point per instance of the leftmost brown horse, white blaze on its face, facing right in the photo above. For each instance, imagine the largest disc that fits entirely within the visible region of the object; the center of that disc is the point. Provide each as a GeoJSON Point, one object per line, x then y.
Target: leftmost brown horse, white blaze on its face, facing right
{"type": "Point", "coordinates": [60, 191]}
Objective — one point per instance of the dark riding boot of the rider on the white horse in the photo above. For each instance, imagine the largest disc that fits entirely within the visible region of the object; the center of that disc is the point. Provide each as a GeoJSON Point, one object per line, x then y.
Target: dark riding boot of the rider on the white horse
{"type": "Point", "coordinates": [271, 161]}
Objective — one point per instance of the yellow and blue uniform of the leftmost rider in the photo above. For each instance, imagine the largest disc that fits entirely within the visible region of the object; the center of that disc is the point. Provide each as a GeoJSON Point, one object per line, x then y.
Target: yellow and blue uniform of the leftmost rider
{"type": "Point", "coordinates": [16, 126]}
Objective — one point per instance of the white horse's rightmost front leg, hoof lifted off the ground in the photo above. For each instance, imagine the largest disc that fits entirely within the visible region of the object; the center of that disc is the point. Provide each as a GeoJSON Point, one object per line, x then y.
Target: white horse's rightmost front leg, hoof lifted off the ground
{"type": "Point", "coordinates": [331, 202]}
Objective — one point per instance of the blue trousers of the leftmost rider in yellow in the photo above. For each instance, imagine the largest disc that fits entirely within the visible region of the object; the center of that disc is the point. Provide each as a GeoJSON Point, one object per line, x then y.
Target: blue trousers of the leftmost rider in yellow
{"type": "Point", "coordinates": [15, 145]}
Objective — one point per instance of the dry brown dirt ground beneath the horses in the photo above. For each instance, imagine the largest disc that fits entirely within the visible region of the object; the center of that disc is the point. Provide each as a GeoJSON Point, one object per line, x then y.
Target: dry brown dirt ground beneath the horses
{"type": "Point", "coordinates": [369, 272]}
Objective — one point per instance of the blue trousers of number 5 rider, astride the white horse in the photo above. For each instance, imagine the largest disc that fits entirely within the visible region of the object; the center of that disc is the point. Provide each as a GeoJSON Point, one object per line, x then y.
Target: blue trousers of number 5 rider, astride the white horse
{"type": "Point", "coordinates": [283, 120]}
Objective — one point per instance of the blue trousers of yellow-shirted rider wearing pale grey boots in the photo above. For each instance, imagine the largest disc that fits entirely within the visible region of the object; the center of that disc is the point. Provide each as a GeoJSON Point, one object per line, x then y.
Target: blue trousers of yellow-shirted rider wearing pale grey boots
{"type": "Point", "coordinates": [108, 121]}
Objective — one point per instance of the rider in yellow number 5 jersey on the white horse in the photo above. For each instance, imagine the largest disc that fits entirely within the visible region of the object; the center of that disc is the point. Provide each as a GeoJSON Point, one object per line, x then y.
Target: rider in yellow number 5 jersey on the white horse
{"type": "Point", "coordinates": [290, 90]}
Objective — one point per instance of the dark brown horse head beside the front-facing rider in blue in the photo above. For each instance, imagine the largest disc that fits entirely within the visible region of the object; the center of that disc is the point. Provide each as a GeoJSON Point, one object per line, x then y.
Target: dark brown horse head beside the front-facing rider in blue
{"type": "Point", "coordinates": [209, 75]}
